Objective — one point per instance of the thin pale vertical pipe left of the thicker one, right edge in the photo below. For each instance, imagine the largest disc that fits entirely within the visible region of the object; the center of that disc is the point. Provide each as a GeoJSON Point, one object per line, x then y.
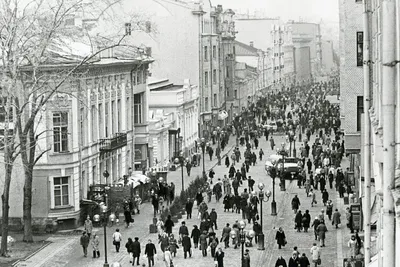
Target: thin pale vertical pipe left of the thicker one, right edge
{"type": "Point", "coordinates": [367, 138]}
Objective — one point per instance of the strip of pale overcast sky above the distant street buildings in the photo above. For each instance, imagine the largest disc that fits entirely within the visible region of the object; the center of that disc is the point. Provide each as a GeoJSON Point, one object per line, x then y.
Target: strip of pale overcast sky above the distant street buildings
{"type": "Point", "coordinates": [314, 10]}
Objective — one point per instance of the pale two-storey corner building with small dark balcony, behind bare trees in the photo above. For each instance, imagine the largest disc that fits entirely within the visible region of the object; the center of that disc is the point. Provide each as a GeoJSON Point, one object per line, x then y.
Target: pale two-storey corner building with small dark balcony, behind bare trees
{"type": "Point", "coordinates": [89, 131]}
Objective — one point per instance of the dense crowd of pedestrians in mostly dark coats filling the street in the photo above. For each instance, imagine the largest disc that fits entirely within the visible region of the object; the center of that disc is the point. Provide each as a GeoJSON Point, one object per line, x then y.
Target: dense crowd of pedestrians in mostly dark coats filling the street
{"type": "Point", "coordinates": [301, 111]}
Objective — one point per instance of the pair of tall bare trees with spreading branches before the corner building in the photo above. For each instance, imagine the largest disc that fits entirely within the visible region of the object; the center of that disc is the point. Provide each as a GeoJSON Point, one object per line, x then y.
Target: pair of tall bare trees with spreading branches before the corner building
{"type": "Point", "coordinates": [34, 34]}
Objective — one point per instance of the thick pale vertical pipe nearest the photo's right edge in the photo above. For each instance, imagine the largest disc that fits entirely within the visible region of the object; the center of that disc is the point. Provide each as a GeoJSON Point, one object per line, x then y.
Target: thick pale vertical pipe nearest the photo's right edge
{"type": "Point", "coordinates": [388, 112]}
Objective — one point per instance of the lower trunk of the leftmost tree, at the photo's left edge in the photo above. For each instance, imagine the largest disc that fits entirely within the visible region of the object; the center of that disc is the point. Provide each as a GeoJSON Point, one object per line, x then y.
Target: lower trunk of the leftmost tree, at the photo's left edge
{"type": "Point", "coordinates": [5, 197]}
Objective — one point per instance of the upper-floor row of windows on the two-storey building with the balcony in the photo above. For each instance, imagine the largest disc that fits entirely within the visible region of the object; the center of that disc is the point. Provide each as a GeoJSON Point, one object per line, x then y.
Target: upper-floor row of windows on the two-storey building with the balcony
{"type": "Point", "coordinates": [97, 121]}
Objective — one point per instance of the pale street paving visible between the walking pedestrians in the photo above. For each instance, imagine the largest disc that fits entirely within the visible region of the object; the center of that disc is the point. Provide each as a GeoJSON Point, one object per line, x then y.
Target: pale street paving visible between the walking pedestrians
{"type": "Point", "coordinates": [65, 251]}
